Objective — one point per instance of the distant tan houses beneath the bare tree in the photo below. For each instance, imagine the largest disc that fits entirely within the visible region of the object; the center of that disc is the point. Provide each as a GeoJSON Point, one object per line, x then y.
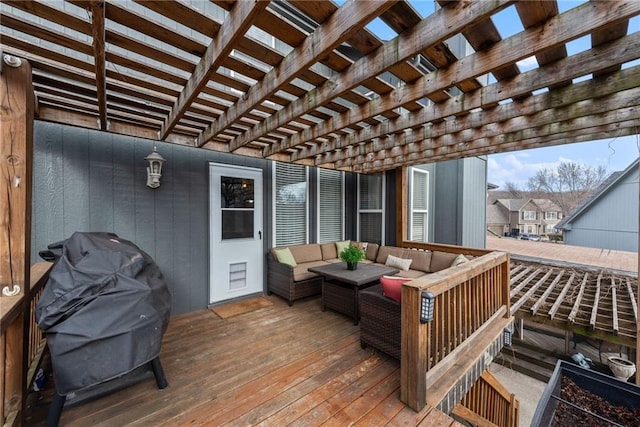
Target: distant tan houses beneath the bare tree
{"type": "Point", "coordinates": [516, 216]}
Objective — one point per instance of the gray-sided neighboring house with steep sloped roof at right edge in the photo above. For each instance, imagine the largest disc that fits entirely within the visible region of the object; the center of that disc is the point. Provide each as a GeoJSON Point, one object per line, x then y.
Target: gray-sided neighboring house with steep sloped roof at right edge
{"type": "Point", "coordinates": [608, 219]}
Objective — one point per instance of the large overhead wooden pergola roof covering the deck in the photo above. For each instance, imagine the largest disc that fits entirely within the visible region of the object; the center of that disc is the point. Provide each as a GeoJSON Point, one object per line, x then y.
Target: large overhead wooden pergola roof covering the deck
{"type": "Point", "coordinates": [306, 82]}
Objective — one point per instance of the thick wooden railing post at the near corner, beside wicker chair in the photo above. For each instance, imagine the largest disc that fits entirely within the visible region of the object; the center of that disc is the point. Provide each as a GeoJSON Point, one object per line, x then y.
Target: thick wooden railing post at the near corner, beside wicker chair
{"type": "Point", "coordinates": [415, 351]}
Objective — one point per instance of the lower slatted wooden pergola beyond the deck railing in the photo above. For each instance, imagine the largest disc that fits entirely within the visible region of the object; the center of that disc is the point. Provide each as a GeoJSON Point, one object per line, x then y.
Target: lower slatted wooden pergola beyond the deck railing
{"type": "Point", "coordinates": [596, 302]}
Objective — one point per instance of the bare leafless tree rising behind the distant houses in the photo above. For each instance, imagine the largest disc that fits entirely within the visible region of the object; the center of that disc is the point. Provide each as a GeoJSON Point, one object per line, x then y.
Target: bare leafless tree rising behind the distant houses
{"type": "Point", "coordinates": [569, 184]}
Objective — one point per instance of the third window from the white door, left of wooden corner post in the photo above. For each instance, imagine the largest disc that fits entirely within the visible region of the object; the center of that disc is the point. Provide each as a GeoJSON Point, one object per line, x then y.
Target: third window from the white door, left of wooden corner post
{"type": "Point", "coordinates": [370, 208]}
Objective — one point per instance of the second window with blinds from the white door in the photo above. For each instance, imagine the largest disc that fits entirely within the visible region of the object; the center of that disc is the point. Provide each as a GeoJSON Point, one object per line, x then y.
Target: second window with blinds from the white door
{"type": "Point", "coordinates": [330, 206]}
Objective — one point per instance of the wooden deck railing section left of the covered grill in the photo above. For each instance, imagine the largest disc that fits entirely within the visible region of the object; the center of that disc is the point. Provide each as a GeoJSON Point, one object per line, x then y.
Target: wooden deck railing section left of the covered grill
{"type": "Point", "coordinates": [21, 346]}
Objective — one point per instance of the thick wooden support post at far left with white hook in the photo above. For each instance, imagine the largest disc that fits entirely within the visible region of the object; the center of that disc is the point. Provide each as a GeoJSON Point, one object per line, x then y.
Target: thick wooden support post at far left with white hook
{"type": "Point", "coordinates": [16, 159]}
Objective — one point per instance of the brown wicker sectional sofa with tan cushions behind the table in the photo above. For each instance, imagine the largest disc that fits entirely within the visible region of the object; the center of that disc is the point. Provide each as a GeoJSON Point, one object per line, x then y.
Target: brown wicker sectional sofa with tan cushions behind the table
{"type": "Point", "coordinates": [293, 283]}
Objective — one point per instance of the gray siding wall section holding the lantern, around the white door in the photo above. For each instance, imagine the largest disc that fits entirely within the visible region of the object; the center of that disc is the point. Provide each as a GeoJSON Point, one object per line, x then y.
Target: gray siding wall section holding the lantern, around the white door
{"type": "Point", "coordinates": [86, 180]}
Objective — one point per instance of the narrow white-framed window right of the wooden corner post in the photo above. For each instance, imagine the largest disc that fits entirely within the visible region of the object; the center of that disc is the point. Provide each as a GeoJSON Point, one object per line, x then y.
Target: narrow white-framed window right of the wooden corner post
{"type": "Point", "coordinates": [419, 203]}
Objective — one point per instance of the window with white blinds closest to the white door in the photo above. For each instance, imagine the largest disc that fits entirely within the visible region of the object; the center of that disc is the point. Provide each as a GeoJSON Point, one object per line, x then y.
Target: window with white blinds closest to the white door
{"type": "Point", "coordinates": [290, 204]}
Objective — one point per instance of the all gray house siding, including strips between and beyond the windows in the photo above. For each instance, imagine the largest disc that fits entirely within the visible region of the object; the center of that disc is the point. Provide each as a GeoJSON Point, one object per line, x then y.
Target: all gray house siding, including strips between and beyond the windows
{"type": "Point", "coordinates": [86, 180]}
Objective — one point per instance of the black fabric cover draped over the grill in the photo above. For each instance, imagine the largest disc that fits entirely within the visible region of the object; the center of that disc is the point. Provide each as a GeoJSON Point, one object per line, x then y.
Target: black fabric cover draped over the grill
{"type": "Point", "coordinates": [104, 310]}
